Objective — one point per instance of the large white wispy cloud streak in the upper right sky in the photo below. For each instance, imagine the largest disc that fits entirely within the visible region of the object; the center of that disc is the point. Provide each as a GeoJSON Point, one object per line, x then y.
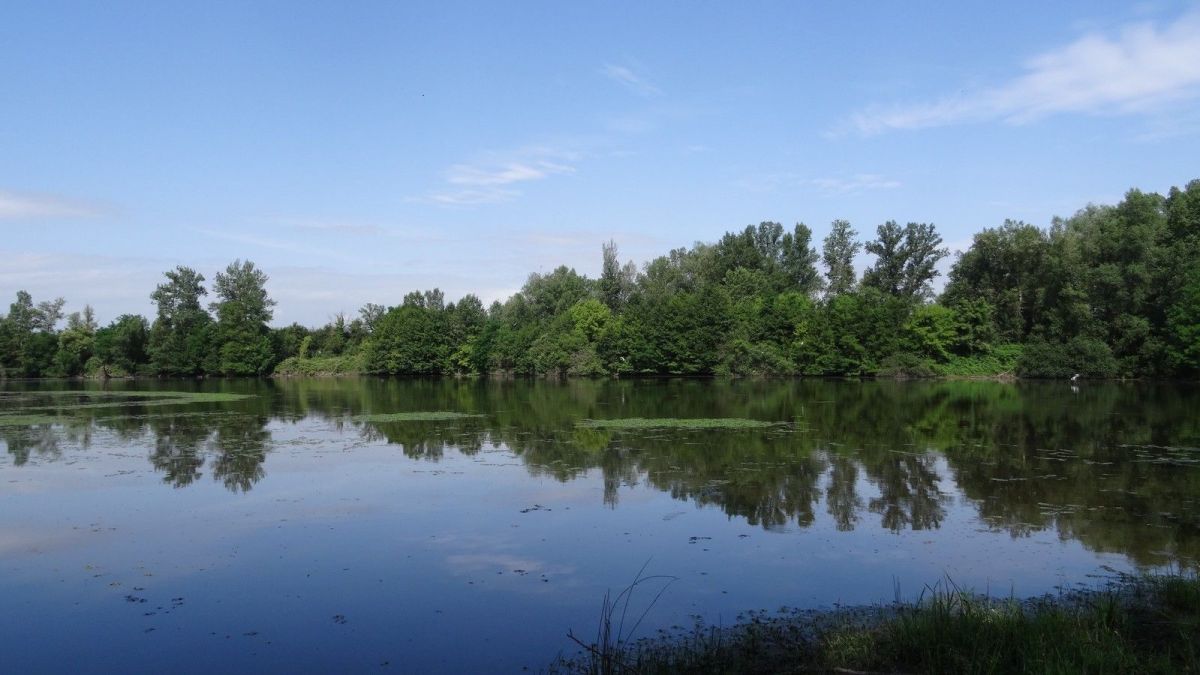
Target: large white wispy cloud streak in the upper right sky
{"type": "Point", "coordinates": [1141, 70]}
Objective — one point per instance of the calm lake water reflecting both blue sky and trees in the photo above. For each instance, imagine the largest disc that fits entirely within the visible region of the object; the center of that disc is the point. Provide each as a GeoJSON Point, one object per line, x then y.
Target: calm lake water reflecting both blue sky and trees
{"type": "Point", "coordinates": [279, 534]}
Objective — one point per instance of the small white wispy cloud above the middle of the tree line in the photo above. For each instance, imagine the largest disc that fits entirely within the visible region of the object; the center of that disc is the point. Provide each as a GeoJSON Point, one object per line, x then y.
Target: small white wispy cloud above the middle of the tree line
{"type": "Point", "coordinates": [497, 180]}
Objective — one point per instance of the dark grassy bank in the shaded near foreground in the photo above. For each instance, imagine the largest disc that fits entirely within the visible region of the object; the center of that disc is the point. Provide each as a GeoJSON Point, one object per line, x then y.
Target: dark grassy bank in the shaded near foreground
{"type": "Point", "coordinates": [1136, 625]}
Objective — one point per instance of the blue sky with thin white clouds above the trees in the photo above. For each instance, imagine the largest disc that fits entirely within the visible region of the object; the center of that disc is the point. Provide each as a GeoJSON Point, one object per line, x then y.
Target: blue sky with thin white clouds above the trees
{"type": "Point", "coordinates": [361, 151]}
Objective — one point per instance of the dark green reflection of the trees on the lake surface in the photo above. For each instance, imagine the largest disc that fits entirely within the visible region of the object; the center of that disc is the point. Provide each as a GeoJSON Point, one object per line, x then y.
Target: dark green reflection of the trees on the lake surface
{"type": "Point", "coordinates": [1115, 467]}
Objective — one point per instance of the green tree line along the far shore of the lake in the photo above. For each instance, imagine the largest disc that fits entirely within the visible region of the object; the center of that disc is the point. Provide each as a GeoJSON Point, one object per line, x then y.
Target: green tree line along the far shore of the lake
{"type": "Point", "coordinates": [1113, 291]}
